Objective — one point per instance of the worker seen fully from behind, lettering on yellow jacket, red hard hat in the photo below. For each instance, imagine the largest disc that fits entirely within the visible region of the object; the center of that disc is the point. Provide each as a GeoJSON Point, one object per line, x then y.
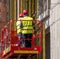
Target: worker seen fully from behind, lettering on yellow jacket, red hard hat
{"type": "Point", "coordinates": [27, 28]}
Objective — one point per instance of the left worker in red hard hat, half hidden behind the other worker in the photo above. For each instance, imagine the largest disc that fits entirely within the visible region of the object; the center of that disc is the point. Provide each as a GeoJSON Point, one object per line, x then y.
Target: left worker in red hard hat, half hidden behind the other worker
{"type": "Point", "coordinates": [19, 30]}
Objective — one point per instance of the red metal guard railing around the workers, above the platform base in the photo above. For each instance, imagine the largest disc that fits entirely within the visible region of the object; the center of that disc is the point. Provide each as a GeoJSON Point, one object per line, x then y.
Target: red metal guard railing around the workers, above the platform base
{"type": "Point", "coordinates": [10, 37]}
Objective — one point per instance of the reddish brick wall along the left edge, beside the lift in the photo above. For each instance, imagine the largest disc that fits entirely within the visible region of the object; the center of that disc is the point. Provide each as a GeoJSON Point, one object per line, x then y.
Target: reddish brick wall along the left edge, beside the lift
{"type": "Point", "coordinates": [3, 18]}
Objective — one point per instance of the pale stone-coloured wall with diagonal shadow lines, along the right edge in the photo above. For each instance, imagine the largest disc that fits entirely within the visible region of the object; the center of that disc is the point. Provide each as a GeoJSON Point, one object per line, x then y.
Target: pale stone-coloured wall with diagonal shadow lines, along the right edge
{"type": "Point", "coordinates": [55, 29]}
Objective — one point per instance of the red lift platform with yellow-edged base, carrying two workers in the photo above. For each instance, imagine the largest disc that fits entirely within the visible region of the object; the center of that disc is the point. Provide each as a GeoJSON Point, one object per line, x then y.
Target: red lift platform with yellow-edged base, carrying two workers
{"type": "Point", "coordinates": [11, 43]}
